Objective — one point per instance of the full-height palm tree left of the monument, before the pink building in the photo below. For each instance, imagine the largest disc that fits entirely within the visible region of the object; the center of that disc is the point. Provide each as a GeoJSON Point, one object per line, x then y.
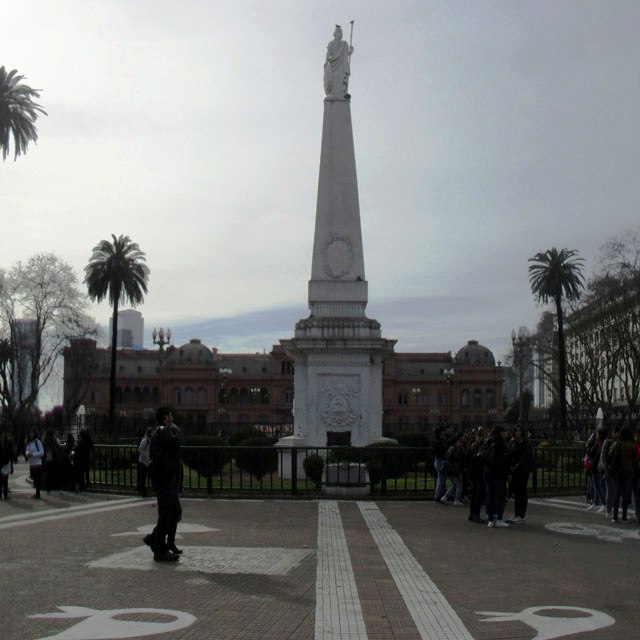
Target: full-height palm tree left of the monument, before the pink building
{"type": "Point", "coordinates": [116, 271]}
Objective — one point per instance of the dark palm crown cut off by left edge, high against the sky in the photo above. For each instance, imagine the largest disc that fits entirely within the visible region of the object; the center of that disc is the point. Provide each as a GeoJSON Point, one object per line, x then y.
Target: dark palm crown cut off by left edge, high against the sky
{"type": "Point", "coordinates": [18, 113]}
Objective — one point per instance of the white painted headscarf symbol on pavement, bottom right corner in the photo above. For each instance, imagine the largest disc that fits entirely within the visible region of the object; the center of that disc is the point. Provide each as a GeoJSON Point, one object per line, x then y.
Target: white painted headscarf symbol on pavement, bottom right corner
{"type": "Point", "coordinates": [553, 626]}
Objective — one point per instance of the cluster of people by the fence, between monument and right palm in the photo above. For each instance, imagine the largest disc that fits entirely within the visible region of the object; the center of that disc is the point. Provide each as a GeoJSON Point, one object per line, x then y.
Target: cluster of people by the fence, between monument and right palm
{"type": "Point", "coordinates": [485, 466]}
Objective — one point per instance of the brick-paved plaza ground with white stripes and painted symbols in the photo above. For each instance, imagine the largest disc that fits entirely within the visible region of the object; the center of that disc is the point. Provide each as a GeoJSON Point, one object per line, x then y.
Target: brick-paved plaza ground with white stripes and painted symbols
{"type": "Point", "coordinates": [74, 567]}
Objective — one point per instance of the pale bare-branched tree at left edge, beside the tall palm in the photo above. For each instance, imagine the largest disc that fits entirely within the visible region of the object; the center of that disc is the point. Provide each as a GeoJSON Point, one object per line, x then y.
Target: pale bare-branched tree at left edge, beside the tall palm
{"type": "Point", "coordinates": [41, 309]}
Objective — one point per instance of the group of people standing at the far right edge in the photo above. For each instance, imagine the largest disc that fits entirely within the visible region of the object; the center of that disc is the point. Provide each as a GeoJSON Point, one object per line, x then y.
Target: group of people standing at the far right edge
{"type": "Point", "coordinates": [612, 465]}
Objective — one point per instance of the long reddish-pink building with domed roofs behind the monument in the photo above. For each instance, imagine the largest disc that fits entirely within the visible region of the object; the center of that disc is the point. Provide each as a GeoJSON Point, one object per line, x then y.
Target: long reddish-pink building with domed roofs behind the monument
{"type": "Point", "coordinates": [420, 390]}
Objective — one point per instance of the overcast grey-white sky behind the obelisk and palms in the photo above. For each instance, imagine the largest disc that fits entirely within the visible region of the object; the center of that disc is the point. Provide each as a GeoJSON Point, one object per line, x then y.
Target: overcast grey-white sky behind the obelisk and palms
{"type": "Point", "coordinates": [484, 132]}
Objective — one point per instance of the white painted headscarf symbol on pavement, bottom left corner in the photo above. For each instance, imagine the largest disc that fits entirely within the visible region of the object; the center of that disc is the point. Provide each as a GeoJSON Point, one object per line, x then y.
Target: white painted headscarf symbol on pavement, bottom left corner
{"type": "Point", "coordinates": [104, 625]}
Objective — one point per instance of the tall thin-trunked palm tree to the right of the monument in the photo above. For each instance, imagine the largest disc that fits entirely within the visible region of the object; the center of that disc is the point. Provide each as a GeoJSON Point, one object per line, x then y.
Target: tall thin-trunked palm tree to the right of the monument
{"type": "Point", "coordinates": [557, 276]}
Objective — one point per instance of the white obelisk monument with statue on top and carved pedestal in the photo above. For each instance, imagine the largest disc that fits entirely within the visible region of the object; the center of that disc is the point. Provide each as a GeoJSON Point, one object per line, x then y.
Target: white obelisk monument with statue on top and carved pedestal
{"type": "Point", "coordinates": [337, 351]}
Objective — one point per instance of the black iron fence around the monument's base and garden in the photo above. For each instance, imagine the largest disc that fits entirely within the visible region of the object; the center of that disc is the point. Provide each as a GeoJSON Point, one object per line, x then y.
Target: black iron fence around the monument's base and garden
{"type": "Point", "coordinates": [318, 471]}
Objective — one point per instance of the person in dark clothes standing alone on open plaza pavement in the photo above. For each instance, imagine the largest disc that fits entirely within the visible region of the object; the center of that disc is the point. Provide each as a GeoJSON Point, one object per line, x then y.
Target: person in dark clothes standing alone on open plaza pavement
{"type": "Point", "coordinates": [166, 472]}
